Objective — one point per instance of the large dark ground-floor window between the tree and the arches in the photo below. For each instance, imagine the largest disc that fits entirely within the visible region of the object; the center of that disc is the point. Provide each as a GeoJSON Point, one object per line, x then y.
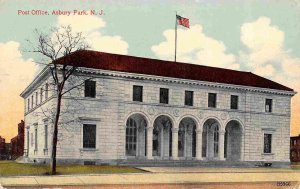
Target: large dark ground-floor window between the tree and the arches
{"type": "Point", "coordinates": [89, 136]}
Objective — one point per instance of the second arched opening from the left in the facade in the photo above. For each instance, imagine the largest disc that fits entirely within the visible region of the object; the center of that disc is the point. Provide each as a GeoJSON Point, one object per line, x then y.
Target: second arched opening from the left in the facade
{"type": "Point", "coordinates": [162, 137]}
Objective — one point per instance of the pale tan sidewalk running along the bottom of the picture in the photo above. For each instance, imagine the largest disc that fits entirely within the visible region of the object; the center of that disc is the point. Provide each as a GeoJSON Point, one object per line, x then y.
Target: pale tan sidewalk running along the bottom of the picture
{"type": "Point", "coordinates": [150, 178]}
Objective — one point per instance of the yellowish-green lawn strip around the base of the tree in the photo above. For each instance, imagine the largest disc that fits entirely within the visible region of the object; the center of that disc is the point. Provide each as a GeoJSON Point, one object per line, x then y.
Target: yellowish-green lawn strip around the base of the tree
{"type": "Point", "coordinates": [11, 168]}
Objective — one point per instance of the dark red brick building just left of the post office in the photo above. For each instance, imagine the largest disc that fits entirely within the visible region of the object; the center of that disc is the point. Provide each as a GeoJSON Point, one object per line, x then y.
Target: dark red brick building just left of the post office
{"type": "Point", "coordinates": [17, 143]}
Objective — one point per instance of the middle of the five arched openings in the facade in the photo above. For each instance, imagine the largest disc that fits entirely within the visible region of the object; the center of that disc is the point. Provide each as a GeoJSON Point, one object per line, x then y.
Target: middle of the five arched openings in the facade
{"type": "Point", "coordinates": [187, 138]}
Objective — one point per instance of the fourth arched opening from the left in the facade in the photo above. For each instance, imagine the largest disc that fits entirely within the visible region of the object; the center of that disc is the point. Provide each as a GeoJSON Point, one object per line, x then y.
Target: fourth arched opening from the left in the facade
{"type": "Point", "coordinates": [210, 139]}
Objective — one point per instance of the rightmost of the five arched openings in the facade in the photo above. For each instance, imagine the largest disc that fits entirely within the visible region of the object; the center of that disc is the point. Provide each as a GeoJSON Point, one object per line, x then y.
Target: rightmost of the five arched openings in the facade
{"type": "Point", "coordinates": [233, 141]}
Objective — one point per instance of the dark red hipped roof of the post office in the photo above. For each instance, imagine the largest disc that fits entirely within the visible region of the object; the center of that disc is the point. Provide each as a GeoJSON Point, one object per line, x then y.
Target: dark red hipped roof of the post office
{"type": "Point", "coordinates": [131, 64]}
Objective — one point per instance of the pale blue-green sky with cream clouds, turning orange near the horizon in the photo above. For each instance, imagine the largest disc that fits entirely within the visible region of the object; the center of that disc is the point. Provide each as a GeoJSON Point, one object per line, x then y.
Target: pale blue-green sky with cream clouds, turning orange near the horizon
{"type": "Point", "coordinates": [248, 35]}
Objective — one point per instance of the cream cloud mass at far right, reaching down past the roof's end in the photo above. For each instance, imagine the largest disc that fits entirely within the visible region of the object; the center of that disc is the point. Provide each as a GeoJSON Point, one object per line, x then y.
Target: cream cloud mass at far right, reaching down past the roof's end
{"type": "Point", "coordinates": [265, 55]}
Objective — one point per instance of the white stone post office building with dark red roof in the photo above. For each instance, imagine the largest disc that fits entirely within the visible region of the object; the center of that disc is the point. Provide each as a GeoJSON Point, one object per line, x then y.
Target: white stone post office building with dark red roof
{"type": "Point", "coordinates": [137, 108]}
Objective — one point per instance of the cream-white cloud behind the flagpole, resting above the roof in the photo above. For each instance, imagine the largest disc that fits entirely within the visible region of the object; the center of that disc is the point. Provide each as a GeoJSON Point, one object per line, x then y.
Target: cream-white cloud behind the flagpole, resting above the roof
{"type": "Point", "coordinates": [195, 47]}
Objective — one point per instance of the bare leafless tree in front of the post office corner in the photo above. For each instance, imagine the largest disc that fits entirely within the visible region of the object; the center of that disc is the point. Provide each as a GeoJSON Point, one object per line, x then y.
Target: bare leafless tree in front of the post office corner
{"type": "Point", "coordinates": [56, 47]}
